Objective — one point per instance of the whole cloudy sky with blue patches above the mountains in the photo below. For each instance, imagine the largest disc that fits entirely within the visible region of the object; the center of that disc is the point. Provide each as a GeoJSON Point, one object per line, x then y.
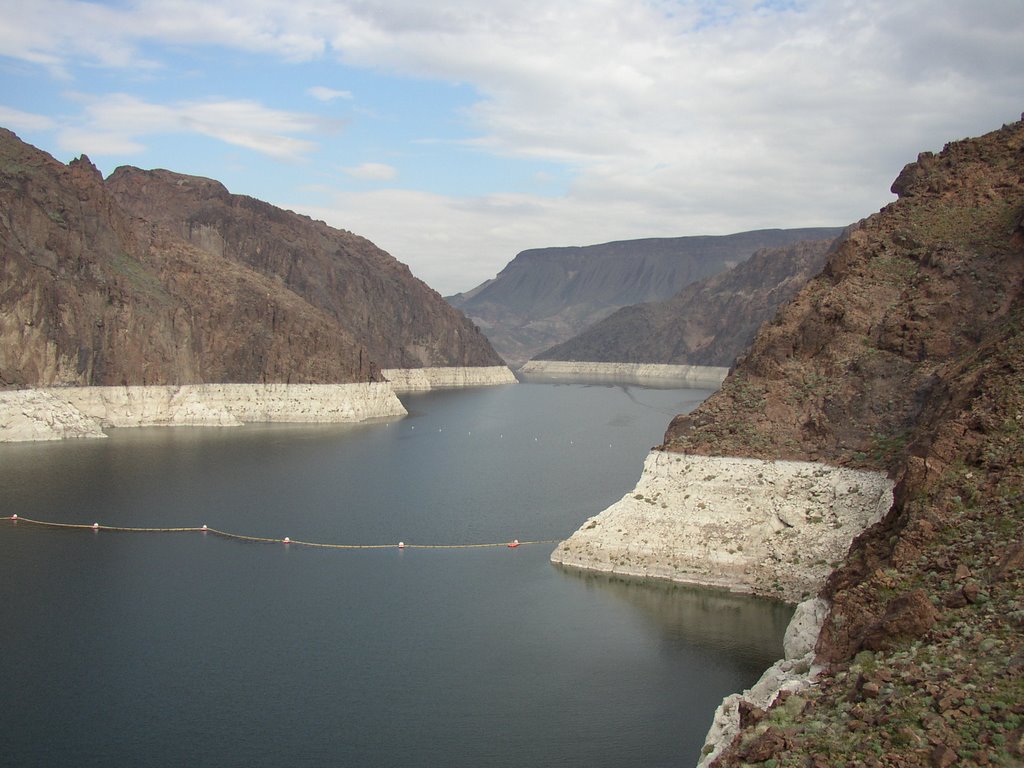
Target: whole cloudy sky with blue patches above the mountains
{"type": "Point", "coordinates": [455, 135]}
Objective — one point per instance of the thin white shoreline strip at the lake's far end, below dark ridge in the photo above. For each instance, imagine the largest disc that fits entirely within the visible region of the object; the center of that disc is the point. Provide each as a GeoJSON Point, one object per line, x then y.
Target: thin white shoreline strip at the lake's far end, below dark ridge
{"type": "Point", "coordinates": [699, 377]}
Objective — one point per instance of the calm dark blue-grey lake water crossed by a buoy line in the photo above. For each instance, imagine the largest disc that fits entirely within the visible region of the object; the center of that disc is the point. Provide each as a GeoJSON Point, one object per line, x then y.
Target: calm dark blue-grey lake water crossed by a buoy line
{"type": "Point", "coordinates": [175, 650]}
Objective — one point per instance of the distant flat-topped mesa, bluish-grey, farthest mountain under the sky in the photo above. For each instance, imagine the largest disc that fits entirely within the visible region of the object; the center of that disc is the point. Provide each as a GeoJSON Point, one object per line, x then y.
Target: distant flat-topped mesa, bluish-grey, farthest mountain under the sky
{"type": "Point", "coordinates": [545, 296]}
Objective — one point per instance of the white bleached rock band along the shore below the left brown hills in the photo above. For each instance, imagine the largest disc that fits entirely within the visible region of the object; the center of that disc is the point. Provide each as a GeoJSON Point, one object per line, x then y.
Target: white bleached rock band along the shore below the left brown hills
{"type": "Point", "coordinates": [72, 413]}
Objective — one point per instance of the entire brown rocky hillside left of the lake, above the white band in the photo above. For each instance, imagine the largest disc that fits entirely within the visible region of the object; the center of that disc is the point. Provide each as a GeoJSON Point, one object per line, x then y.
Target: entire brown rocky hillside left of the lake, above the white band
{"type": "Point", "coordinates": [158, 278]}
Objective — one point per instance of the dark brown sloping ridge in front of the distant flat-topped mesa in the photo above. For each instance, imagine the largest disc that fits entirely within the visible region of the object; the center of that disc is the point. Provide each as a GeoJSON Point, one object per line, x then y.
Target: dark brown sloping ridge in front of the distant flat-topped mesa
{"type": "Point", "coordinates": [709, 323]}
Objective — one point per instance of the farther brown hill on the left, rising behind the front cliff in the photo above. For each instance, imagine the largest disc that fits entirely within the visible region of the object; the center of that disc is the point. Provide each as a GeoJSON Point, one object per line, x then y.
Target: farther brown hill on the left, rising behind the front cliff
{"type": "Point", "coordinates": [400, 321]}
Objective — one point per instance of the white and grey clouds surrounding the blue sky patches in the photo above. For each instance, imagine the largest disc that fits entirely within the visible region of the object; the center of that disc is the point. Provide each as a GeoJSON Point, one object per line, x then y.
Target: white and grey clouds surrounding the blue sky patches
{"type": "Point", "coordinates": [673, 117]}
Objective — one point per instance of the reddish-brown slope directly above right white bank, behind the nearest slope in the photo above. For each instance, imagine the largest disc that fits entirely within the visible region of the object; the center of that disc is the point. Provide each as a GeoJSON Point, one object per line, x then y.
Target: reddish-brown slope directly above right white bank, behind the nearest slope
{"type": "Point", "coordinates": [844, 371]}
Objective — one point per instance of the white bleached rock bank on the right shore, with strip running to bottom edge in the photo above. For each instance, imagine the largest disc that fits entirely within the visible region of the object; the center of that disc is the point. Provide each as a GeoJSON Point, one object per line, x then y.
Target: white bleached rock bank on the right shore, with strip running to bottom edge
{"type": "Point", "coordinates": [771, 529]}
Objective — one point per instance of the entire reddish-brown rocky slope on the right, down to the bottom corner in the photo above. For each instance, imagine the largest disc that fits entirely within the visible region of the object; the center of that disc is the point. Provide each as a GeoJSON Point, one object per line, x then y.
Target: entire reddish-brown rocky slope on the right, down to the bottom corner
{"type": "Point", "coordinates": [906, 355]}
